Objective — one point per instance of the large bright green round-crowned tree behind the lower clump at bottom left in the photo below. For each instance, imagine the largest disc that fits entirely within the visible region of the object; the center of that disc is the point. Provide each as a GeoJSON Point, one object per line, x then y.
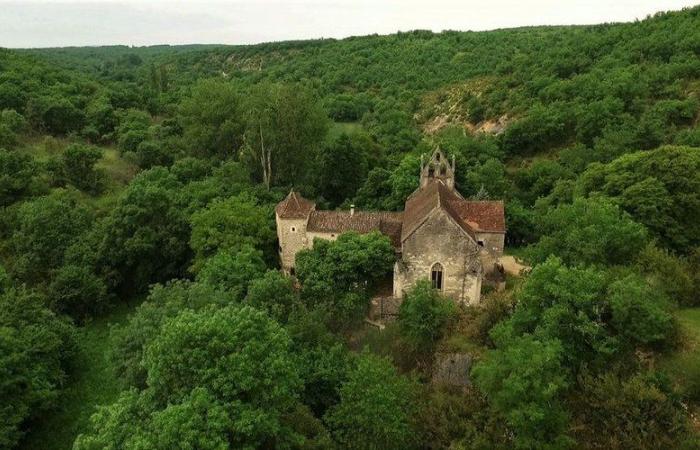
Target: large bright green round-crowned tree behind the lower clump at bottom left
{"type": "Point", "coordinates": [240, 356]}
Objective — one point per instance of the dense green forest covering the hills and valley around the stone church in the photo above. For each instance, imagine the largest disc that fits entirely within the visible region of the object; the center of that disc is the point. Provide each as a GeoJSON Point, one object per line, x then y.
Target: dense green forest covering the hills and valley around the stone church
{"type": "Point", "coordinates": [141, 302]}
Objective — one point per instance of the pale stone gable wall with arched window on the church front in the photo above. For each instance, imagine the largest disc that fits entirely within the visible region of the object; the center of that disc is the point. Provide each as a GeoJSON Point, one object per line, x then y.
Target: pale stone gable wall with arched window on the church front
{"type": "Point", "coordinates": [440, 240]}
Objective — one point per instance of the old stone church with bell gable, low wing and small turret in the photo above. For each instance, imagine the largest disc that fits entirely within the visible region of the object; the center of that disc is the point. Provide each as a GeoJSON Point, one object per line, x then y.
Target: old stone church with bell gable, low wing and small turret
{"type": "Point", "coordinates": [439, 236]}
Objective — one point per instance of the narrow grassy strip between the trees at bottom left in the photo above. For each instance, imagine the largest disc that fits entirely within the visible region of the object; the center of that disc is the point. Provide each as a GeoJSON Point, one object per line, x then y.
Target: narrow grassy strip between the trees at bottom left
{"type": "Point", "coordinates": [93, 383]}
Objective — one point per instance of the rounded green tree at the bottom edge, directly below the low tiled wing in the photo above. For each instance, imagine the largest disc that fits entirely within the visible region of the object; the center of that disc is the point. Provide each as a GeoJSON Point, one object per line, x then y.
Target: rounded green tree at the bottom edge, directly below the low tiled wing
{"type": "Point", "coordinates": [376, 408]}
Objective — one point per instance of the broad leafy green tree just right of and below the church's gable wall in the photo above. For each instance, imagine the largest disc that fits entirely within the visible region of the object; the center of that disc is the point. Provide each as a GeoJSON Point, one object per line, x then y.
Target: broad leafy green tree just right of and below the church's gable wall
{"type": "Point", "coordinates": [595, 316]}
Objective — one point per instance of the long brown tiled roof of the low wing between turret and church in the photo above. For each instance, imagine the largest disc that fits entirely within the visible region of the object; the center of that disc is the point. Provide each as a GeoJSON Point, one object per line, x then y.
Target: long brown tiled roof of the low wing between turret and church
{"type": "Point", "coordinates": [388, 223]}
